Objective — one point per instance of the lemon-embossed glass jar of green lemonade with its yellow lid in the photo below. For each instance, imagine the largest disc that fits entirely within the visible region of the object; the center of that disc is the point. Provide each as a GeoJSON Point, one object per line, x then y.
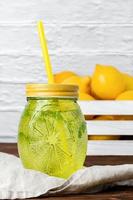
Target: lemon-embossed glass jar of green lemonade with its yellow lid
{"type": "Point", "coordinates": [52, 135]}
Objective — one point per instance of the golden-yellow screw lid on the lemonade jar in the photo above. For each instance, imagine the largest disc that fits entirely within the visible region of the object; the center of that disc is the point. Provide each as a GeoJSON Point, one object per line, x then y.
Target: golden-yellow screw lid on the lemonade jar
{"type": "Point", "coordinates": [51, 90]}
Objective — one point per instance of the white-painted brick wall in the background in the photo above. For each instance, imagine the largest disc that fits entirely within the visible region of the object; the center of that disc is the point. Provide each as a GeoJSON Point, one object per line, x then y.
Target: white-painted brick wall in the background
{"type": "Point", "coordinates": [80, 34]}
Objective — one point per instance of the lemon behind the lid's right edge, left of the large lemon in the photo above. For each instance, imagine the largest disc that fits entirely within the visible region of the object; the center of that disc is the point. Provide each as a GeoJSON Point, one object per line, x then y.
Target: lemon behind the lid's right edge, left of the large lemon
{"type": "Point", "coordinates": [82, 81]}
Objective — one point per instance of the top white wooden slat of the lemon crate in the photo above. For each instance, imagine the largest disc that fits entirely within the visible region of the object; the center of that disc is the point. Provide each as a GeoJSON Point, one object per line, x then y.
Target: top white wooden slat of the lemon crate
{"type": "Point", "coordinates": [106, 107]}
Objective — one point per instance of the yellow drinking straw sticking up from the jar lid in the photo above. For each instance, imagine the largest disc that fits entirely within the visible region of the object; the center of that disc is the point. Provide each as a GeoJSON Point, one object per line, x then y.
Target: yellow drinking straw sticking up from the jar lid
{"type": "Point", "coordinates": [45, 54]}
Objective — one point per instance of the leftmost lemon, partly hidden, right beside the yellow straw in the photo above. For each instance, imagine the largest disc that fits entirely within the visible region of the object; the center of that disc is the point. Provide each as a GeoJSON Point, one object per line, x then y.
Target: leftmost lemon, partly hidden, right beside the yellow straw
{"type": "Point", "coordinates": [61, 76]}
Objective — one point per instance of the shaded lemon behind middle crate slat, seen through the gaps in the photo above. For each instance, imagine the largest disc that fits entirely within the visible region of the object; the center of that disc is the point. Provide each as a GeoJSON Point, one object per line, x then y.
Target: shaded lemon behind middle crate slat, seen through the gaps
{"type": "Point", "coordinates": [104, 137]}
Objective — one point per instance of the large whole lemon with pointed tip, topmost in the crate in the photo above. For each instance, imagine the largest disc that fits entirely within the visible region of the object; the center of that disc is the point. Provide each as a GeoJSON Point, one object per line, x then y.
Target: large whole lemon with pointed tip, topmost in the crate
{"type": "Point", "coordinates": [107, 82]}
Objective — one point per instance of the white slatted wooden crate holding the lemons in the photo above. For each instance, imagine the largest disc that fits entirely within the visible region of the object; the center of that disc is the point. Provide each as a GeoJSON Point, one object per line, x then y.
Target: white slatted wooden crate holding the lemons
{"type": "Point", "coordinates": [112, 127]}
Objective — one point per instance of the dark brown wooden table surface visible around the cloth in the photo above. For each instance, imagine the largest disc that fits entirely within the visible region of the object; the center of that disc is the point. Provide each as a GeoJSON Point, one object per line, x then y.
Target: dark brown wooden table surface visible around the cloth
{"type": "Point", "coordinates": [119, 193]}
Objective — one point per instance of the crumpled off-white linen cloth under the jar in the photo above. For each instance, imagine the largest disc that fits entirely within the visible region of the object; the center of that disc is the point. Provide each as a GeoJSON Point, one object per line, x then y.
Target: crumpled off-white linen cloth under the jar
{"type": "Point", "coordinates": [17, 182]}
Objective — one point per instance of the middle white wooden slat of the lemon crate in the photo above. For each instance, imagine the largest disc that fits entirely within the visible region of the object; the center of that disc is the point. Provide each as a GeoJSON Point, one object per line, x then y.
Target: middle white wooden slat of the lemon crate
{"type": "Point", "coordinates": [110, 127]}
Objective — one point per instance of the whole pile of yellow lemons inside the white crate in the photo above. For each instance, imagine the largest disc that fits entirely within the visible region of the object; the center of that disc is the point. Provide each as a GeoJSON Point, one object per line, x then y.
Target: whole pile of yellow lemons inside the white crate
{"type": "Point", "coordinates": [106, 83]}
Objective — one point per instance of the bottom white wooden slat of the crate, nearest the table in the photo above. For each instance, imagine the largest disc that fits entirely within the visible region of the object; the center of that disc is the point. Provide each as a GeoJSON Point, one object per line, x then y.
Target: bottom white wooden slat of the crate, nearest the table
{"type": "Point", "coordinates": [110, 147]}
